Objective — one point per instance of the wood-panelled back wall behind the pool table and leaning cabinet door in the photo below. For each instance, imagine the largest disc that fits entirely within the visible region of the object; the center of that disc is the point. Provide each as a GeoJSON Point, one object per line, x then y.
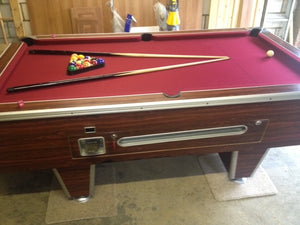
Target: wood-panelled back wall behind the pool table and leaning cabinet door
{"type": "Point", "coordinates": [53, 16]}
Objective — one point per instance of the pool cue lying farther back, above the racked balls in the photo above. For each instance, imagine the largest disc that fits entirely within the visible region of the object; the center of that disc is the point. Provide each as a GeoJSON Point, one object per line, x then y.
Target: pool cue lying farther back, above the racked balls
{"type": "Point", "coordinates": [140, 55]}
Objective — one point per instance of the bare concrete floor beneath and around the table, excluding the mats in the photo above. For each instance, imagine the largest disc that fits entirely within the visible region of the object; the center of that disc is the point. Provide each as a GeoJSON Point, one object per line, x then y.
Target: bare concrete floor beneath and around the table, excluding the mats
{"type": "Point", "coordinates": [24, 196]}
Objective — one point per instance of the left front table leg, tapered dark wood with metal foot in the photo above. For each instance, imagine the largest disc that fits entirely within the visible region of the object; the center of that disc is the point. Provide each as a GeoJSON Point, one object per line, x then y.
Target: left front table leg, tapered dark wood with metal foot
{"type": "Point", "coordinates": [77, 182]}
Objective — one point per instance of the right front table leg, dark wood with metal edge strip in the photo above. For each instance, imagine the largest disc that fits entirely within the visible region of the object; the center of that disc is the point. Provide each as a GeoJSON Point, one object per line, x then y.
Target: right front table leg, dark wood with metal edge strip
{"type": "Point", "coordinates": [243, 163]}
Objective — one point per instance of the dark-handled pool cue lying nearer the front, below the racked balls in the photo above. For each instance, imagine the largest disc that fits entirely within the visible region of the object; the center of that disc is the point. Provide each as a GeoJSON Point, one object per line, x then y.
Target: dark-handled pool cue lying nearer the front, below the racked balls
{"type": "Point", "coordinates": [119, 74]}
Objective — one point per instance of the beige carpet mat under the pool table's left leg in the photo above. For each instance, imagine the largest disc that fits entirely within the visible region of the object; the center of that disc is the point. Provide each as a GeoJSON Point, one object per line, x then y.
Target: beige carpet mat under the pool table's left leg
{"type": "Point", "coordinates": [102, 204]}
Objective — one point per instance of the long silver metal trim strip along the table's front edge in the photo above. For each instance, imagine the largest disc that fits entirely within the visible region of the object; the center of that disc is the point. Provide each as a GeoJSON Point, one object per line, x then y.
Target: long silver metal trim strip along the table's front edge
{"type": "Point", "coordinates": [147, 106]}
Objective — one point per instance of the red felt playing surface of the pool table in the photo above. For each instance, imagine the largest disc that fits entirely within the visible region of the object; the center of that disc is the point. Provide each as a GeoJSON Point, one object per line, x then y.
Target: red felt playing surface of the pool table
{"type": "Point", "coordinates": [248, 67]}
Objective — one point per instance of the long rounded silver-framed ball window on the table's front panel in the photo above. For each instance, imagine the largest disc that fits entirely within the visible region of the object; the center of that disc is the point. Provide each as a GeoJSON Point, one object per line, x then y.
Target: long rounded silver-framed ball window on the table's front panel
{"type": "Point", "coordinates": [182, 135]}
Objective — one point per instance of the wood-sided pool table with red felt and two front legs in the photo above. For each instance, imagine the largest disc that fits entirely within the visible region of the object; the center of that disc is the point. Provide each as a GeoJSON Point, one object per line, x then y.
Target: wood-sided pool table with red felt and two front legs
{"type": "Point", "coordinates": [239, 107]}
